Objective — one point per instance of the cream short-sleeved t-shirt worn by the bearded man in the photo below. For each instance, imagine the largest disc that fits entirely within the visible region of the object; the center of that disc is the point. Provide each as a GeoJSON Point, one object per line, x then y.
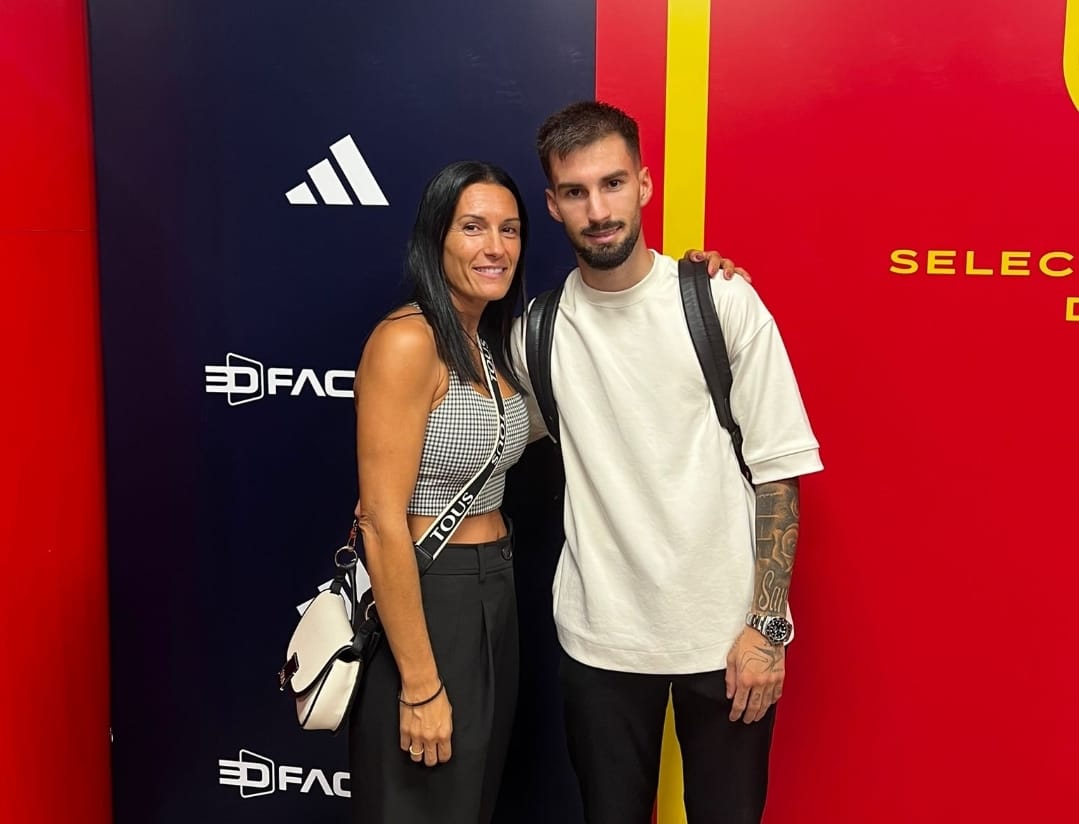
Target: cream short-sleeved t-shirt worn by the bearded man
{"type": "Point", "coordinates": [657, 575]}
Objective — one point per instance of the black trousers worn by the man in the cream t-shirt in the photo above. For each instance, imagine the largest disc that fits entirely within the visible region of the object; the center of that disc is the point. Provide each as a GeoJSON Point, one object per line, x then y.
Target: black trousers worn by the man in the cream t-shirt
{"type": "Point", "coordinates": [614, 724]}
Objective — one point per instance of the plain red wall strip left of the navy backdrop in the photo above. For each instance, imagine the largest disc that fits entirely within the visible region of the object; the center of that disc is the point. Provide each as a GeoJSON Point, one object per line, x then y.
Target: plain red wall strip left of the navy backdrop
{"type": "Point", "coordinates": [56, 738]}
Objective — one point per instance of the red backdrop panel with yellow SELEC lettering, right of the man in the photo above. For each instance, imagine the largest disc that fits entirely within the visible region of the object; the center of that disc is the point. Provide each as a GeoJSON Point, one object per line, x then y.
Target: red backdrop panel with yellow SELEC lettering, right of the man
{"type": "Point", "coordinates": [931, 680]}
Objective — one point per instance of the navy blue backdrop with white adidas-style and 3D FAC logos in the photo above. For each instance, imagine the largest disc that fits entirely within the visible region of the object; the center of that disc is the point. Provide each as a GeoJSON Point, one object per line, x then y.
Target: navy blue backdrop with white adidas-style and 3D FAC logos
{"type": "Point", "coordinates": [236, 303]}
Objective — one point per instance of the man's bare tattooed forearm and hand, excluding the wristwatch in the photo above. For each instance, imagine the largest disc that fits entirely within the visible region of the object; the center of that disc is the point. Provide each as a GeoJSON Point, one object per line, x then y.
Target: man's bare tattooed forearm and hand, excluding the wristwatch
{"type": "Point", "coordinates": [756, 668]}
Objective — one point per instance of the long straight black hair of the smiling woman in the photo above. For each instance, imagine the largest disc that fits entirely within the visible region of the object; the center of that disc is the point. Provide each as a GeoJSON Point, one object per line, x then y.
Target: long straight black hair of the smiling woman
{"type": "Point", "coordinates": [431, 292]}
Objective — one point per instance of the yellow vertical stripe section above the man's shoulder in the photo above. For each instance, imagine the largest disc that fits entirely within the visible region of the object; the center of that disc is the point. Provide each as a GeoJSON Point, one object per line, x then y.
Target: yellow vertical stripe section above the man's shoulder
{"type": "Point", "coordinates": [687, 130]}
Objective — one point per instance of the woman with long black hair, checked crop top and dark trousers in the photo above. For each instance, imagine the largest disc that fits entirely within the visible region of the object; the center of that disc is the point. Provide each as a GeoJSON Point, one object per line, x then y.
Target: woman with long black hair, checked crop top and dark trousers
{"type": "Point", "coordinates": [430, 733]}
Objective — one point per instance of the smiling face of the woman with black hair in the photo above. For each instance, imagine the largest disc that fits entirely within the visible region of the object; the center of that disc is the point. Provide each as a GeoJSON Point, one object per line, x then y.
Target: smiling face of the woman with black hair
{"type": "Point", "coordinates": [483, 245]}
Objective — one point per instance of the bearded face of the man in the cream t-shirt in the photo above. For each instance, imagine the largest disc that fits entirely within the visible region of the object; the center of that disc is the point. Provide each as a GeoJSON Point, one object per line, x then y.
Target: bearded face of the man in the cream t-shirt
{"type": "Point", "coordinates": [597, 194]}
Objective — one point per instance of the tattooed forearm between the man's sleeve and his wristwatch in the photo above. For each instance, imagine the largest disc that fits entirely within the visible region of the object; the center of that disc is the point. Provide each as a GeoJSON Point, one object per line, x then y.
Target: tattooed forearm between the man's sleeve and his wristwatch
{"type": "Point", "coordinates": [777, 538]}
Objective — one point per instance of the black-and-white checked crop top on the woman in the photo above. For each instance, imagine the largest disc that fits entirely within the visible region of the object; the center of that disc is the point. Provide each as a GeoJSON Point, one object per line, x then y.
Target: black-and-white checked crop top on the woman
{"type": "Point", "coordinates": [458, 444]}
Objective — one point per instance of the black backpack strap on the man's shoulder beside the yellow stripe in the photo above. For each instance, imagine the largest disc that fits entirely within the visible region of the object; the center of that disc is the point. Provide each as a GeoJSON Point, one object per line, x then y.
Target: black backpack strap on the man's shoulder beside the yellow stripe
{"type": "Point", "coordinates": [712, 348]}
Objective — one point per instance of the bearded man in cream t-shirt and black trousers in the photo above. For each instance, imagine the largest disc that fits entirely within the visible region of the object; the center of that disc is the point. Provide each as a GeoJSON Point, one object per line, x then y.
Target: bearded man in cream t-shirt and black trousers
{"type": "Point", "coordinates": [659, 588]}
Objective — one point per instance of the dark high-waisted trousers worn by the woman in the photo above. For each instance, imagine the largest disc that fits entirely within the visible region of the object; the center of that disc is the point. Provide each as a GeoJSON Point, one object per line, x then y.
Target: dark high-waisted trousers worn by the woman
{"type": "Point", "coordinates": [471, 609]}
